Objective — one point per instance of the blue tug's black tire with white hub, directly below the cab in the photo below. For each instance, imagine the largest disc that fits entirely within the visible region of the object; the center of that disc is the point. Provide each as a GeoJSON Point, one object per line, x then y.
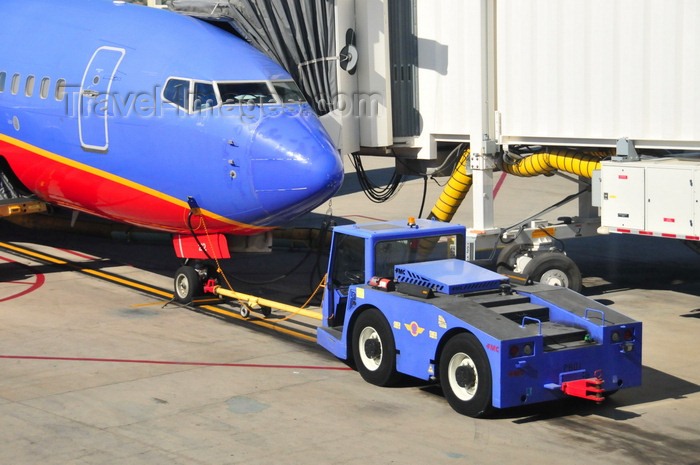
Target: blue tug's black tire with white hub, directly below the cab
{"type": "Point", "coordinates": [373, 348]}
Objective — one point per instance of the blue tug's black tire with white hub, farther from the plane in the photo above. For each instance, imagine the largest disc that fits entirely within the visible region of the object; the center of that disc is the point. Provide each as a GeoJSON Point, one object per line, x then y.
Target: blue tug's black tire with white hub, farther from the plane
{"type": "Point", "coordinates": [465, 376]}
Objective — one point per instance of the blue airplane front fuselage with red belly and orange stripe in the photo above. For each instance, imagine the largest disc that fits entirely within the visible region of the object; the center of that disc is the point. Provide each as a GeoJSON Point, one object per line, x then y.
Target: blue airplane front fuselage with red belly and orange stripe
{"type": "Point", "coordinates": [126, 112]}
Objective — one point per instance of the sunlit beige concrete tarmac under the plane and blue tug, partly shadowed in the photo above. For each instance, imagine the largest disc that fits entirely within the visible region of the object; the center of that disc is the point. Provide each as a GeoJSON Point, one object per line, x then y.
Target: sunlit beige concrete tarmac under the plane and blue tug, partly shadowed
{"type": "Point", "coordinates": [95, 372]}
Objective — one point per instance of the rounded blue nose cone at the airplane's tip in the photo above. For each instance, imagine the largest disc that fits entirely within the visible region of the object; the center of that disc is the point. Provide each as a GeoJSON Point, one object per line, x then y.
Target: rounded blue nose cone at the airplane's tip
{"type": "Point", "coordinates": [294, 165]}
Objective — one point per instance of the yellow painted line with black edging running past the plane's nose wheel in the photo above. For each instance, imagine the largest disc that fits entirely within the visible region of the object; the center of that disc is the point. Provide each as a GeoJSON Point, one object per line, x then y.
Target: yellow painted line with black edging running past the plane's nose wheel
{"type": "Point", "coordinates": [152, 290]}
